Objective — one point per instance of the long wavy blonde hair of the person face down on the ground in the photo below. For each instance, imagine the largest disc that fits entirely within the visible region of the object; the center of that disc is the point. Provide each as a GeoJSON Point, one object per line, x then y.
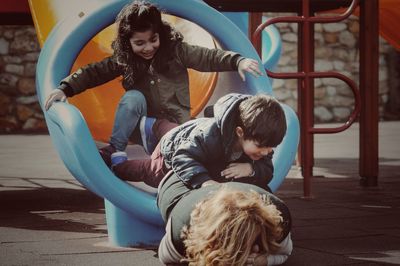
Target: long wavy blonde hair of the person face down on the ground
{"type": "Point", "coordinates": [225, 226]}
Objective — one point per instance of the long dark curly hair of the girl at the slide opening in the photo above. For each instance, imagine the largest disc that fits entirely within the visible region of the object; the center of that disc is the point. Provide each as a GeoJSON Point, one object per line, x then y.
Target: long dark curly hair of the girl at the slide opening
{"type": "Point", "coordinates": [140, 16]}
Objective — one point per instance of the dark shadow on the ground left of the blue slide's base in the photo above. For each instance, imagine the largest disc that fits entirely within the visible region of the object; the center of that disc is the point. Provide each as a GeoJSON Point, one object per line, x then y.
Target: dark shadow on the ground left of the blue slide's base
{"type": "Point", "coordinates": [56, 209]}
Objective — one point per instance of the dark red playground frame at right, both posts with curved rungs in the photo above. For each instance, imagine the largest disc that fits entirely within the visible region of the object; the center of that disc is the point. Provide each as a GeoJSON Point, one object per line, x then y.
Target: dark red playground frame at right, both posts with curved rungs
{"type": "Point", "coordinates": [366, 98]}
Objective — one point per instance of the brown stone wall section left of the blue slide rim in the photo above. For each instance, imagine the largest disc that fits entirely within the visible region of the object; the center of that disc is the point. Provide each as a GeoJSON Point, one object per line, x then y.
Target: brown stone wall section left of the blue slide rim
{"type": "Point", "coordinates": [19, 107]}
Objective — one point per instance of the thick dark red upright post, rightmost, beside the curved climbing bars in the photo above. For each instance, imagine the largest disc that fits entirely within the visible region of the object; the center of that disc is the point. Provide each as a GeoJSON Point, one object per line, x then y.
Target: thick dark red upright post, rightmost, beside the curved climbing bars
{"type": "Point", "coordinates": [369, 86]}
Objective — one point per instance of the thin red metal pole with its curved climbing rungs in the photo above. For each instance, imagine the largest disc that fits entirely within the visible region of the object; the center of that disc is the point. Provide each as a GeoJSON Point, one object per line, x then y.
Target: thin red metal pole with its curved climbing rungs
{"type": "Point", "coordinates": [306, 76]}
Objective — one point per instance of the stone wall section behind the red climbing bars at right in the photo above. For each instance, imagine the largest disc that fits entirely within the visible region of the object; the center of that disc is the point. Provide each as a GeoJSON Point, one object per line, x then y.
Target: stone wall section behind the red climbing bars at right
{"type": "Point", "coordinates": [336, 49]}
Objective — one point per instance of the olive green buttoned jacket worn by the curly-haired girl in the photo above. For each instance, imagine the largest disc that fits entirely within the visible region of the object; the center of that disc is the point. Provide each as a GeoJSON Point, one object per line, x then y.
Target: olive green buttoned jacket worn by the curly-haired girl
{"type": "Point", "coordinates": [166, 93]}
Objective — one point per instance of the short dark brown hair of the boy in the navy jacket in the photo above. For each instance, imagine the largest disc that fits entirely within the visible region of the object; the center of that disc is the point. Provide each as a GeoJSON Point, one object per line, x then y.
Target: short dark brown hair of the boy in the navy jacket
{"type": "Point", "coordinates": [263, 120]}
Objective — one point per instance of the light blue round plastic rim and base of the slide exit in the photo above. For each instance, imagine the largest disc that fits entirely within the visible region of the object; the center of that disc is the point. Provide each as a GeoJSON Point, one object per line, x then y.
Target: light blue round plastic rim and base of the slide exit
{"type": "Point", "coordinates": [132, 216]}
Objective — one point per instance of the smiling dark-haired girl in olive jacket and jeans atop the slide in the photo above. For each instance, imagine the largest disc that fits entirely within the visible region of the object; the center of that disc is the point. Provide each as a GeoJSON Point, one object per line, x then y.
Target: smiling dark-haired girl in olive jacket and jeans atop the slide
{"type": "Point", "coordinates": [152, 59]}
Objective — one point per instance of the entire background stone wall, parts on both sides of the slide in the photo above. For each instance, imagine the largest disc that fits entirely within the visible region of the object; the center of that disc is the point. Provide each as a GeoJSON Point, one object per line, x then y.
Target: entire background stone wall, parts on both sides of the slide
{"type": "Point", "coordinates": [336, 48]}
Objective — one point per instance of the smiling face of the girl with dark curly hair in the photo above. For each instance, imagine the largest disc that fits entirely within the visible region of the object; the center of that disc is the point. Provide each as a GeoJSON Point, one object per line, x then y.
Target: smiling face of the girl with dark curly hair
{"type": "Point", "coordinates": [145, 44]}
